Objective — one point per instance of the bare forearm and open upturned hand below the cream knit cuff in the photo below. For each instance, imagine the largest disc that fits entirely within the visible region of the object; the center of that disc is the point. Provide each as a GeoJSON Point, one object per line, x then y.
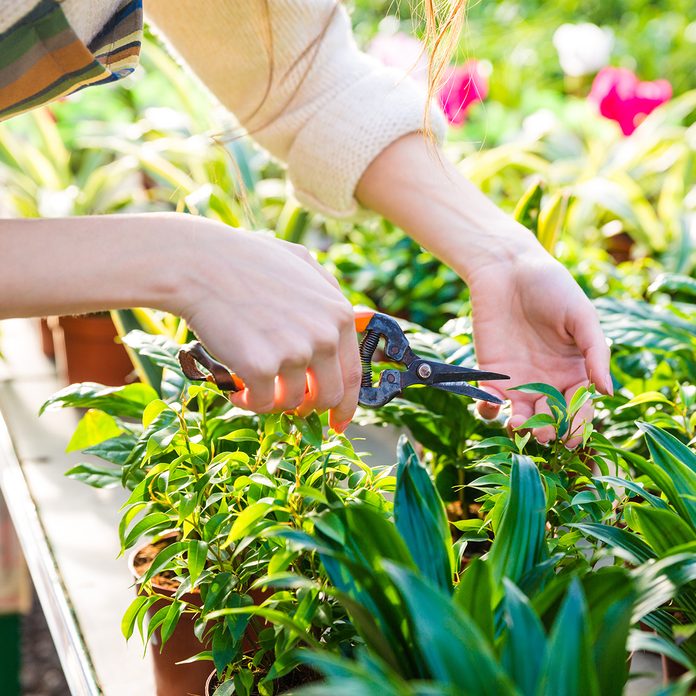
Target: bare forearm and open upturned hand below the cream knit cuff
{"type": "Point", "coordinates": [531, 320]}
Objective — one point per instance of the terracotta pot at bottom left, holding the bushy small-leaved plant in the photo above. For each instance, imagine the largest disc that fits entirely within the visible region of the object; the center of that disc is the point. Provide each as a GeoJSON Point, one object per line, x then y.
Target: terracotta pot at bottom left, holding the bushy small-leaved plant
{"type": "Point", "coordinates": [172, 679]}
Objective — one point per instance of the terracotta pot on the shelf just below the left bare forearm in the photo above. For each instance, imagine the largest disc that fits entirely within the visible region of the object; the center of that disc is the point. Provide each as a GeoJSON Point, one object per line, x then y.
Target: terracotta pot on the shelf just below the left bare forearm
{"type": "Point", "coordinates": [87, 351]}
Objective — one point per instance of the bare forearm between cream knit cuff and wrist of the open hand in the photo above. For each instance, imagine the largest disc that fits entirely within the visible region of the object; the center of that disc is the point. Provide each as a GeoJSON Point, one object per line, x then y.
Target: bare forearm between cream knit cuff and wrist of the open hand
{"type": "Point", "coordinates": [412, 184]}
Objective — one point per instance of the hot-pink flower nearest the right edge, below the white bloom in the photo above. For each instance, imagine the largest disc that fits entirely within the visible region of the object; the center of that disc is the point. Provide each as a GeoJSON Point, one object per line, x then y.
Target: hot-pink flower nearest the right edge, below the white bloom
{"type": "Point", "coordinates": [623, 98]}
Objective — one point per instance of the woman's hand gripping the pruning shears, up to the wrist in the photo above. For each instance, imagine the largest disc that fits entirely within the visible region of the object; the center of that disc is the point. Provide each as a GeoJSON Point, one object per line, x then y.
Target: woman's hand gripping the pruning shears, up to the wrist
{"type": "Point", "coordinates": [269, 311]}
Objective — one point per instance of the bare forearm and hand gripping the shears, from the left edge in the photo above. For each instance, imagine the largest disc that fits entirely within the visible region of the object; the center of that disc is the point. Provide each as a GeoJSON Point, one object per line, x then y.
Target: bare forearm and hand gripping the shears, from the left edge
{"type": "Point", "coordinates": [264, 307]}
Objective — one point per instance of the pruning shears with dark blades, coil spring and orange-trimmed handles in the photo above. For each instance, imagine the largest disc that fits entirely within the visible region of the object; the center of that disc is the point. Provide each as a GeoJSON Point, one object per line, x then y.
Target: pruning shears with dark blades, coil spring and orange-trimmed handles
{"type": "Point", "coordinates": [392, 382]}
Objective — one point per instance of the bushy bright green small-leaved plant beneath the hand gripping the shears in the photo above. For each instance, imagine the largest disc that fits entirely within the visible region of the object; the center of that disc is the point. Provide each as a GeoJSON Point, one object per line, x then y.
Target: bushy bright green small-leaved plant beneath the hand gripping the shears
{"type": "Point", "coordinates": [226, 482]}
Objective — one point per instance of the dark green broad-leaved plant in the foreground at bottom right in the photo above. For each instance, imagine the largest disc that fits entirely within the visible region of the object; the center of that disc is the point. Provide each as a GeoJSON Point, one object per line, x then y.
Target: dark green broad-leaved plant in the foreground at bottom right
{"type": "Point", "coordinates": [506, 623]}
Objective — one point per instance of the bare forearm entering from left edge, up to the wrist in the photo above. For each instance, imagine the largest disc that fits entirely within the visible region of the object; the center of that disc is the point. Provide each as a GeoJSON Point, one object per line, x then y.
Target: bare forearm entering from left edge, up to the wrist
{"type": "Point", "coordinates": [70, 266]}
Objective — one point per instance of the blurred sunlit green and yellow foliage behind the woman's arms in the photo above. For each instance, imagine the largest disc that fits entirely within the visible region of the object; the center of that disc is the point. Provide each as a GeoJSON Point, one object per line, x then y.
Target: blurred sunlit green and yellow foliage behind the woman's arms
{"type": "Point", "coordinates": [618, 211]}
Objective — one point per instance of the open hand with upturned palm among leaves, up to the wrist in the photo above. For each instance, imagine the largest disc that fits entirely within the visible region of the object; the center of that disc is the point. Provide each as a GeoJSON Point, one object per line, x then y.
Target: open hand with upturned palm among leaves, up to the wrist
{"type": "Point", "coordinates": [532, 322]}
